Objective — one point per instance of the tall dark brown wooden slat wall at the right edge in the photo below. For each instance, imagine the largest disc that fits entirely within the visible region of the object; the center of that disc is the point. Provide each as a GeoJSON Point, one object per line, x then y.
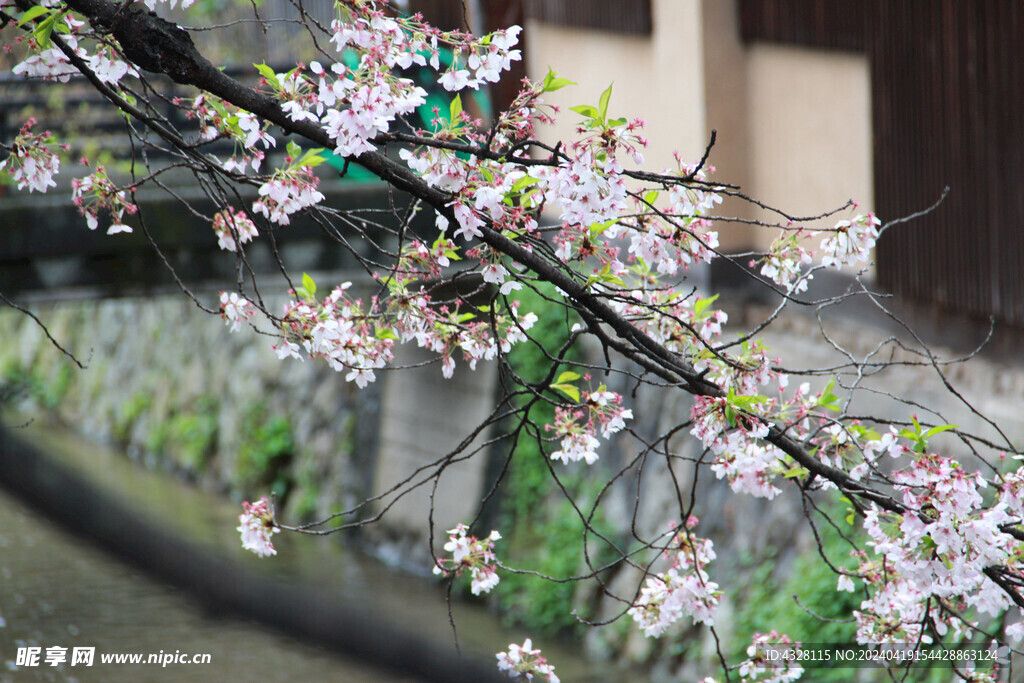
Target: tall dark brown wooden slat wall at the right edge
{"type": "Point", "coordinates": [949, 87]}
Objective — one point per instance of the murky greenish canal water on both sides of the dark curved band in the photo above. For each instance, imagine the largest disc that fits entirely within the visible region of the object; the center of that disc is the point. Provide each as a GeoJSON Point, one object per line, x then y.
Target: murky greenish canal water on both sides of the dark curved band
{"type": "Point", "coordinates": [57, 590]}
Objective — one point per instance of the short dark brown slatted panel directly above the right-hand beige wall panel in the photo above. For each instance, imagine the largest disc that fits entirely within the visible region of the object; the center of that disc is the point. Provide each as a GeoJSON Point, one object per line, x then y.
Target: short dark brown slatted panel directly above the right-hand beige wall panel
{"type": "Point", "coordinates": [840, 25]}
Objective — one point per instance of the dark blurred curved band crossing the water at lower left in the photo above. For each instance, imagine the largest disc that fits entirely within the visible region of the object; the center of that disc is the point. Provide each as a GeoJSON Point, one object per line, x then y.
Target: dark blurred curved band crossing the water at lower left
{"type": "Point", "coordinates": [219, 585]}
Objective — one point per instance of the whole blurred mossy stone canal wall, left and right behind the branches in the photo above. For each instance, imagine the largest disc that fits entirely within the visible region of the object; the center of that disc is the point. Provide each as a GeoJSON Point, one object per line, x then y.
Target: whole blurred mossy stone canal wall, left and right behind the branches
{"type": "Point", "coordinates": [172, 388]}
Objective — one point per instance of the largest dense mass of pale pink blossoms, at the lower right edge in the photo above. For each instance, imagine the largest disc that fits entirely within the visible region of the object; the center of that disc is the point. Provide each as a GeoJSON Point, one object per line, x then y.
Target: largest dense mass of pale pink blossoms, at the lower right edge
{"type": "Point", "coordinates": [933, 562]}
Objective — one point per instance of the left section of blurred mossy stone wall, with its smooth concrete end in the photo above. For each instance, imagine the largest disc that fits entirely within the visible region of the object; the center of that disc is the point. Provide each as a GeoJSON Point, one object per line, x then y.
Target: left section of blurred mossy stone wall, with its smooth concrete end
{"type": "Point", "coordinates": [173, 388]}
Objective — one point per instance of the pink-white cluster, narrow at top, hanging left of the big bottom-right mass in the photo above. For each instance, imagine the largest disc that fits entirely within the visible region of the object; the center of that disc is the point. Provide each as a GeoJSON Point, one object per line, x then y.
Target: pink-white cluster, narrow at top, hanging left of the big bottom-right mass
{"type": "Point", "coordinates": [685, 589]}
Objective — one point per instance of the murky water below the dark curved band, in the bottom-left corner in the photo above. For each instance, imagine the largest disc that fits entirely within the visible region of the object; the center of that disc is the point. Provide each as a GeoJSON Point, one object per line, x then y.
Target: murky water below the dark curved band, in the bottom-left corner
{"type": "Point", "coordinates": [59, 591]}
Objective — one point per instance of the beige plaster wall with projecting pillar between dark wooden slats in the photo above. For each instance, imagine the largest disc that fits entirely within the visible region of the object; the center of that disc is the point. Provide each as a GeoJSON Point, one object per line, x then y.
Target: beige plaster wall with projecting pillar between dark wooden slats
{"type": "Point", "coordinates": [794, 124]}
